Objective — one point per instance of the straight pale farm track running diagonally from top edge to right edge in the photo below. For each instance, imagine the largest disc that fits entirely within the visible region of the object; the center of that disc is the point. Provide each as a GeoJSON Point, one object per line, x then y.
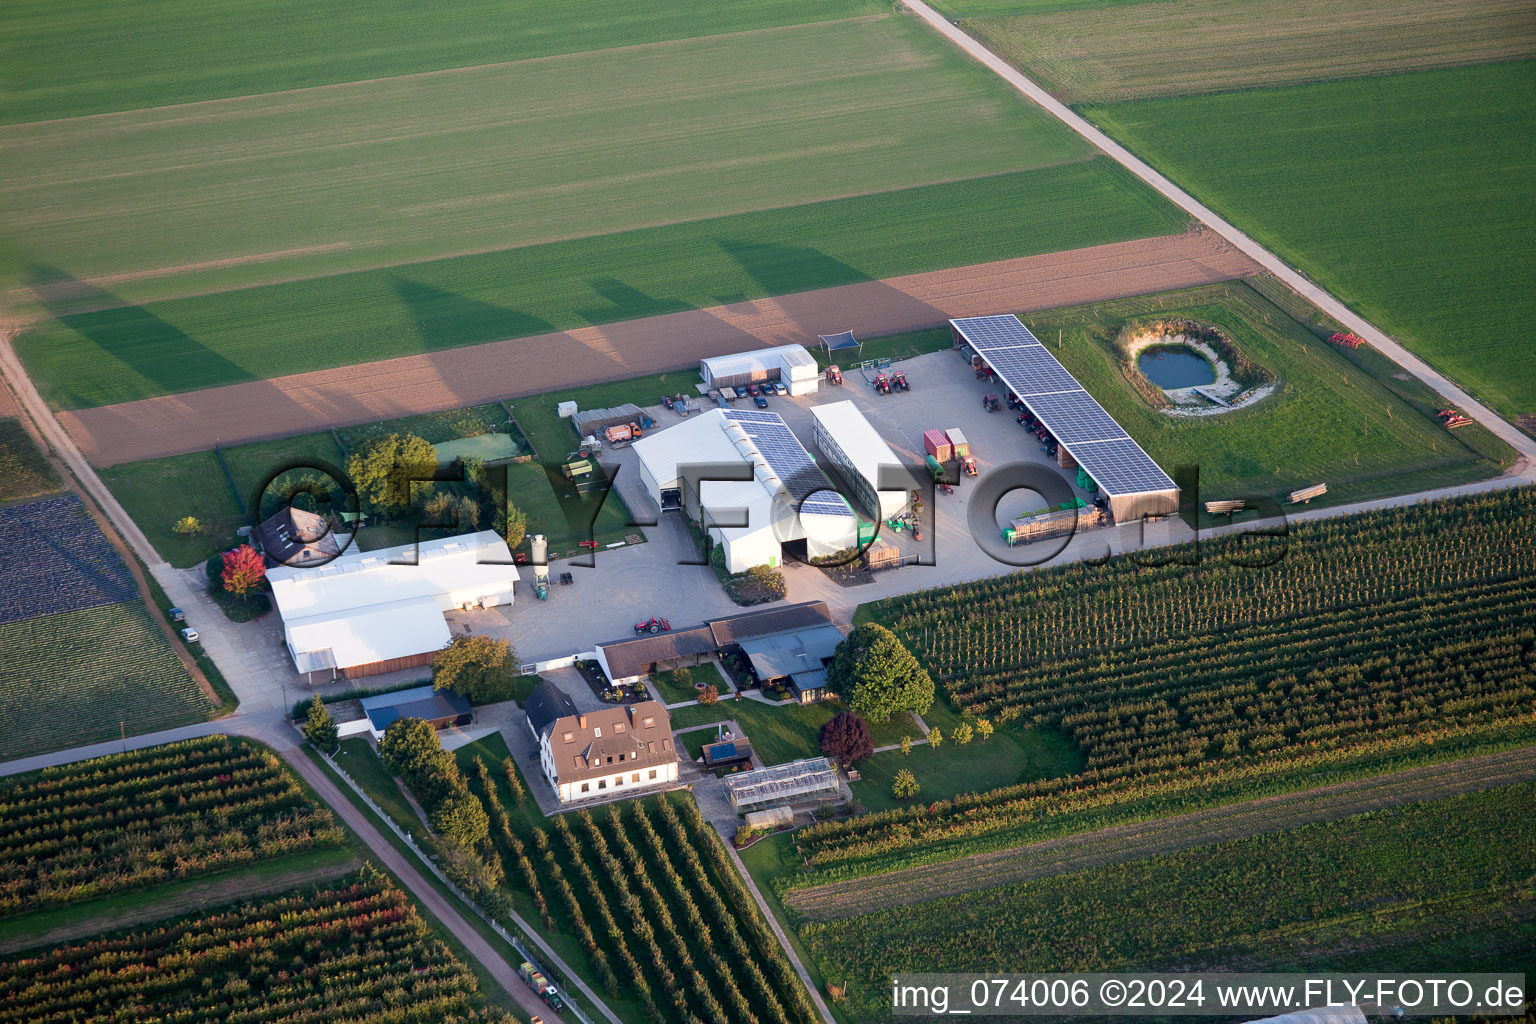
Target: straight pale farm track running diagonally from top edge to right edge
{"type": "Point", "coordinates": [1303, 286]}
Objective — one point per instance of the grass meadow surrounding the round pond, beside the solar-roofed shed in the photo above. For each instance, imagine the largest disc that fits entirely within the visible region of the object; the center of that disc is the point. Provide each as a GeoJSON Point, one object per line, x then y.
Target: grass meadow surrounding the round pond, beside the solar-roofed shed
{"type": "Point", "coordinates": [1339, 417]}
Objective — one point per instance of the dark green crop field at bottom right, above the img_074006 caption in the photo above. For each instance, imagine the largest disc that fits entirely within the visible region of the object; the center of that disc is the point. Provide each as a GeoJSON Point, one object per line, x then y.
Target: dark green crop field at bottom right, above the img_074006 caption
{"type": "Point", "coordinates": [1442, 885]}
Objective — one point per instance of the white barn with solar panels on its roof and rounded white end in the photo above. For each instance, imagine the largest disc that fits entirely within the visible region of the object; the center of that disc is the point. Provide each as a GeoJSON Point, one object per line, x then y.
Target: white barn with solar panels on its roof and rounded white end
{"type": "Point", "coordinates": [781, 500]}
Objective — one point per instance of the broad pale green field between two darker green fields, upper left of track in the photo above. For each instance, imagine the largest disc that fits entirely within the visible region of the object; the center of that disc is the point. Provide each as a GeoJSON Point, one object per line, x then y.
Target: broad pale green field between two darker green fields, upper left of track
{"type": "Point", "coordinates": [391, 173]}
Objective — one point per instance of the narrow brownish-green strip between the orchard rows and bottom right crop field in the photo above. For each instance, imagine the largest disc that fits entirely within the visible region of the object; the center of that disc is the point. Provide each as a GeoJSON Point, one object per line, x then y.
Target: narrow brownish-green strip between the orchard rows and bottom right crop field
{"type": "Point", "coordinates": [1156, 837]}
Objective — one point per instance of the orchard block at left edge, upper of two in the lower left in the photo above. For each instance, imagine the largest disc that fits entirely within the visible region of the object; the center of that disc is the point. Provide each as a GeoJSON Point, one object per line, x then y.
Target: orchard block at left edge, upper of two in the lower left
{"type": "Point", "coordinates": [137, 819]}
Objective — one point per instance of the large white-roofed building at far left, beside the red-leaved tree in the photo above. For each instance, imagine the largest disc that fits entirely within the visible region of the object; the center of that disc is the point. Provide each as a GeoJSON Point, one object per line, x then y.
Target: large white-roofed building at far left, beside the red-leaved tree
{"type": "Point", "coordinates": [380, 612]}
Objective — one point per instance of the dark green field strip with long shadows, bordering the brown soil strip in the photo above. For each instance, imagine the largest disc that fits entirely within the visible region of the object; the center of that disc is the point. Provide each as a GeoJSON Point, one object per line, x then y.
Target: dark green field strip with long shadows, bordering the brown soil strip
{"type": "Point", "coordinates": [142, 351]}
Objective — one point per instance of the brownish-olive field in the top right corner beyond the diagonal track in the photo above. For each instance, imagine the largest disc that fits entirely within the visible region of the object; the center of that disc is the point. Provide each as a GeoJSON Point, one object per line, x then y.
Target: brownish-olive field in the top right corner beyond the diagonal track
{"type": "Point", "coordinates": [1119, 53]}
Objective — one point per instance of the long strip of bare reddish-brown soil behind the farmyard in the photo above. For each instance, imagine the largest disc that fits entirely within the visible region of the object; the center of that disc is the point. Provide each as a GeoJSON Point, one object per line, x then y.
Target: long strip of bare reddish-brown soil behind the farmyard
{"type": "Point", "coordinates": [545, 363]}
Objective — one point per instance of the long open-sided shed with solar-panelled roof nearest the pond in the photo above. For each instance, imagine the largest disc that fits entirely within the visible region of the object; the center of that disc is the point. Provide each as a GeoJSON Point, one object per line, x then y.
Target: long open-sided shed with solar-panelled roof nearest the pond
{"type": "Point", "coordinates": [1134, 484]}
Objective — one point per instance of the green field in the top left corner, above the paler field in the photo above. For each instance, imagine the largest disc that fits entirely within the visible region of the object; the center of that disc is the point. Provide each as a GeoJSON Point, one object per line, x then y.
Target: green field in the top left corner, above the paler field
{"type": "Point", "coordinates": [91, 56]}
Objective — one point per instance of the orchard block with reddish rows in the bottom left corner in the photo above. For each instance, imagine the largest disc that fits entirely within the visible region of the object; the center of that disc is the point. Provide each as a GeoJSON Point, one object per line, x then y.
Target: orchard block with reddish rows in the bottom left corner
{"type": "Point", "coordinates": [346, 954]}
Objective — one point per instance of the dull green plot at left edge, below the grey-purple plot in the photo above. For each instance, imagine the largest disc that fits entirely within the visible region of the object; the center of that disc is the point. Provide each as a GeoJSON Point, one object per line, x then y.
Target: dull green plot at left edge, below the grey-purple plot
{"type": "Point", "coordinates": [88, 676]}
